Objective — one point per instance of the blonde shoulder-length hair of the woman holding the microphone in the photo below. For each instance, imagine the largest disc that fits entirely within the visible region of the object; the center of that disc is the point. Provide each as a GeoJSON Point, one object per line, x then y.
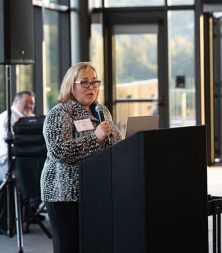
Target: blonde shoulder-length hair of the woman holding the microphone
{"type": "Point", "coordinates": [69, 79]}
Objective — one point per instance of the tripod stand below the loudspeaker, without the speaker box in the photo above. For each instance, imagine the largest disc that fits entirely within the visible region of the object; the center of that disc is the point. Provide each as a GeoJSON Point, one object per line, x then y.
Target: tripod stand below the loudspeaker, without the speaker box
{"type": "Point", "coordinates": [10, 181]}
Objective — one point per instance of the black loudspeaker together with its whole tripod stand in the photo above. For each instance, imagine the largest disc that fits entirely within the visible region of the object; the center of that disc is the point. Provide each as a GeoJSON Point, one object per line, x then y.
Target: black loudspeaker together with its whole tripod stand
{"type": "Point", "coordinates": [16, 47]}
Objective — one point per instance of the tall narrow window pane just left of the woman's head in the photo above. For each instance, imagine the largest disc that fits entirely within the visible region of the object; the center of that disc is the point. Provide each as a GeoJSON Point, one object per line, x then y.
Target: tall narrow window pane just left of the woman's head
{"type": "Point", "coordinates": [50, 59]}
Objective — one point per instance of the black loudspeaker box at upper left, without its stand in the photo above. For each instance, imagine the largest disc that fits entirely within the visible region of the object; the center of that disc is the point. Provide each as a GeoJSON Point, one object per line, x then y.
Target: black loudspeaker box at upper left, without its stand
{"type": "Point", "coordinates": [16, 32]}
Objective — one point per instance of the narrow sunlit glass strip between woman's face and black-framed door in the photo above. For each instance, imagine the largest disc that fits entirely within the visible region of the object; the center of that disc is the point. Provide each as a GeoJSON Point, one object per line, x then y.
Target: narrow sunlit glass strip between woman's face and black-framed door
{"type": "Point", "coordinates": [96, 55]}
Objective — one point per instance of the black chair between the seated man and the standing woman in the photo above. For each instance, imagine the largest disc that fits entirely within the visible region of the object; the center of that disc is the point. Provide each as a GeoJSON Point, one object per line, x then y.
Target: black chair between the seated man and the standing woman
{"type": "Point", "coordinates": [29, 152]}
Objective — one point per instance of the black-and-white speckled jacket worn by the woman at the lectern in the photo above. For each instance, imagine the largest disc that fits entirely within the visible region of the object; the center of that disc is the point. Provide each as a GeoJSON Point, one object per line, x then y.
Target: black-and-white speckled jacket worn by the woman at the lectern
{"type": "Point", "coordinates": [66, 146]}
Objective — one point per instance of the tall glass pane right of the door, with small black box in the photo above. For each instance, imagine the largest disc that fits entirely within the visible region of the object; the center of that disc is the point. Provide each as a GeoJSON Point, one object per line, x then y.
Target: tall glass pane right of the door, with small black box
{"type": "Point", "coordinates": [181, 63]}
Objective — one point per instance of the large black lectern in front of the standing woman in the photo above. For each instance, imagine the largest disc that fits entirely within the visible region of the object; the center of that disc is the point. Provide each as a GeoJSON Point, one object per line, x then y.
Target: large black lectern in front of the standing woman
{"type": "Point", "coordinates": [146, 194]}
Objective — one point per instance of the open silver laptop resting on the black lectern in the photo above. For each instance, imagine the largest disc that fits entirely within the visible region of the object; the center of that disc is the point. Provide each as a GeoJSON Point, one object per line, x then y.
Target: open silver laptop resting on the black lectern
{"type": "Point", "coordinates": [141, 123]}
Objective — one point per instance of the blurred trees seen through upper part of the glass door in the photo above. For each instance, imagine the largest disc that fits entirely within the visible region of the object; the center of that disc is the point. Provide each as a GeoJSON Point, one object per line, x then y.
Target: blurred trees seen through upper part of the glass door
{"type": "Point", "coordinates": [136, 57]}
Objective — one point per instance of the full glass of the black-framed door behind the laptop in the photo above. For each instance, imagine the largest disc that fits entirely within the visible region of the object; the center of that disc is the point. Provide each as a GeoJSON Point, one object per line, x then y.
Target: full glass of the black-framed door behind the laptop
{"type": "Point", "coordinates": [136, 75]}
